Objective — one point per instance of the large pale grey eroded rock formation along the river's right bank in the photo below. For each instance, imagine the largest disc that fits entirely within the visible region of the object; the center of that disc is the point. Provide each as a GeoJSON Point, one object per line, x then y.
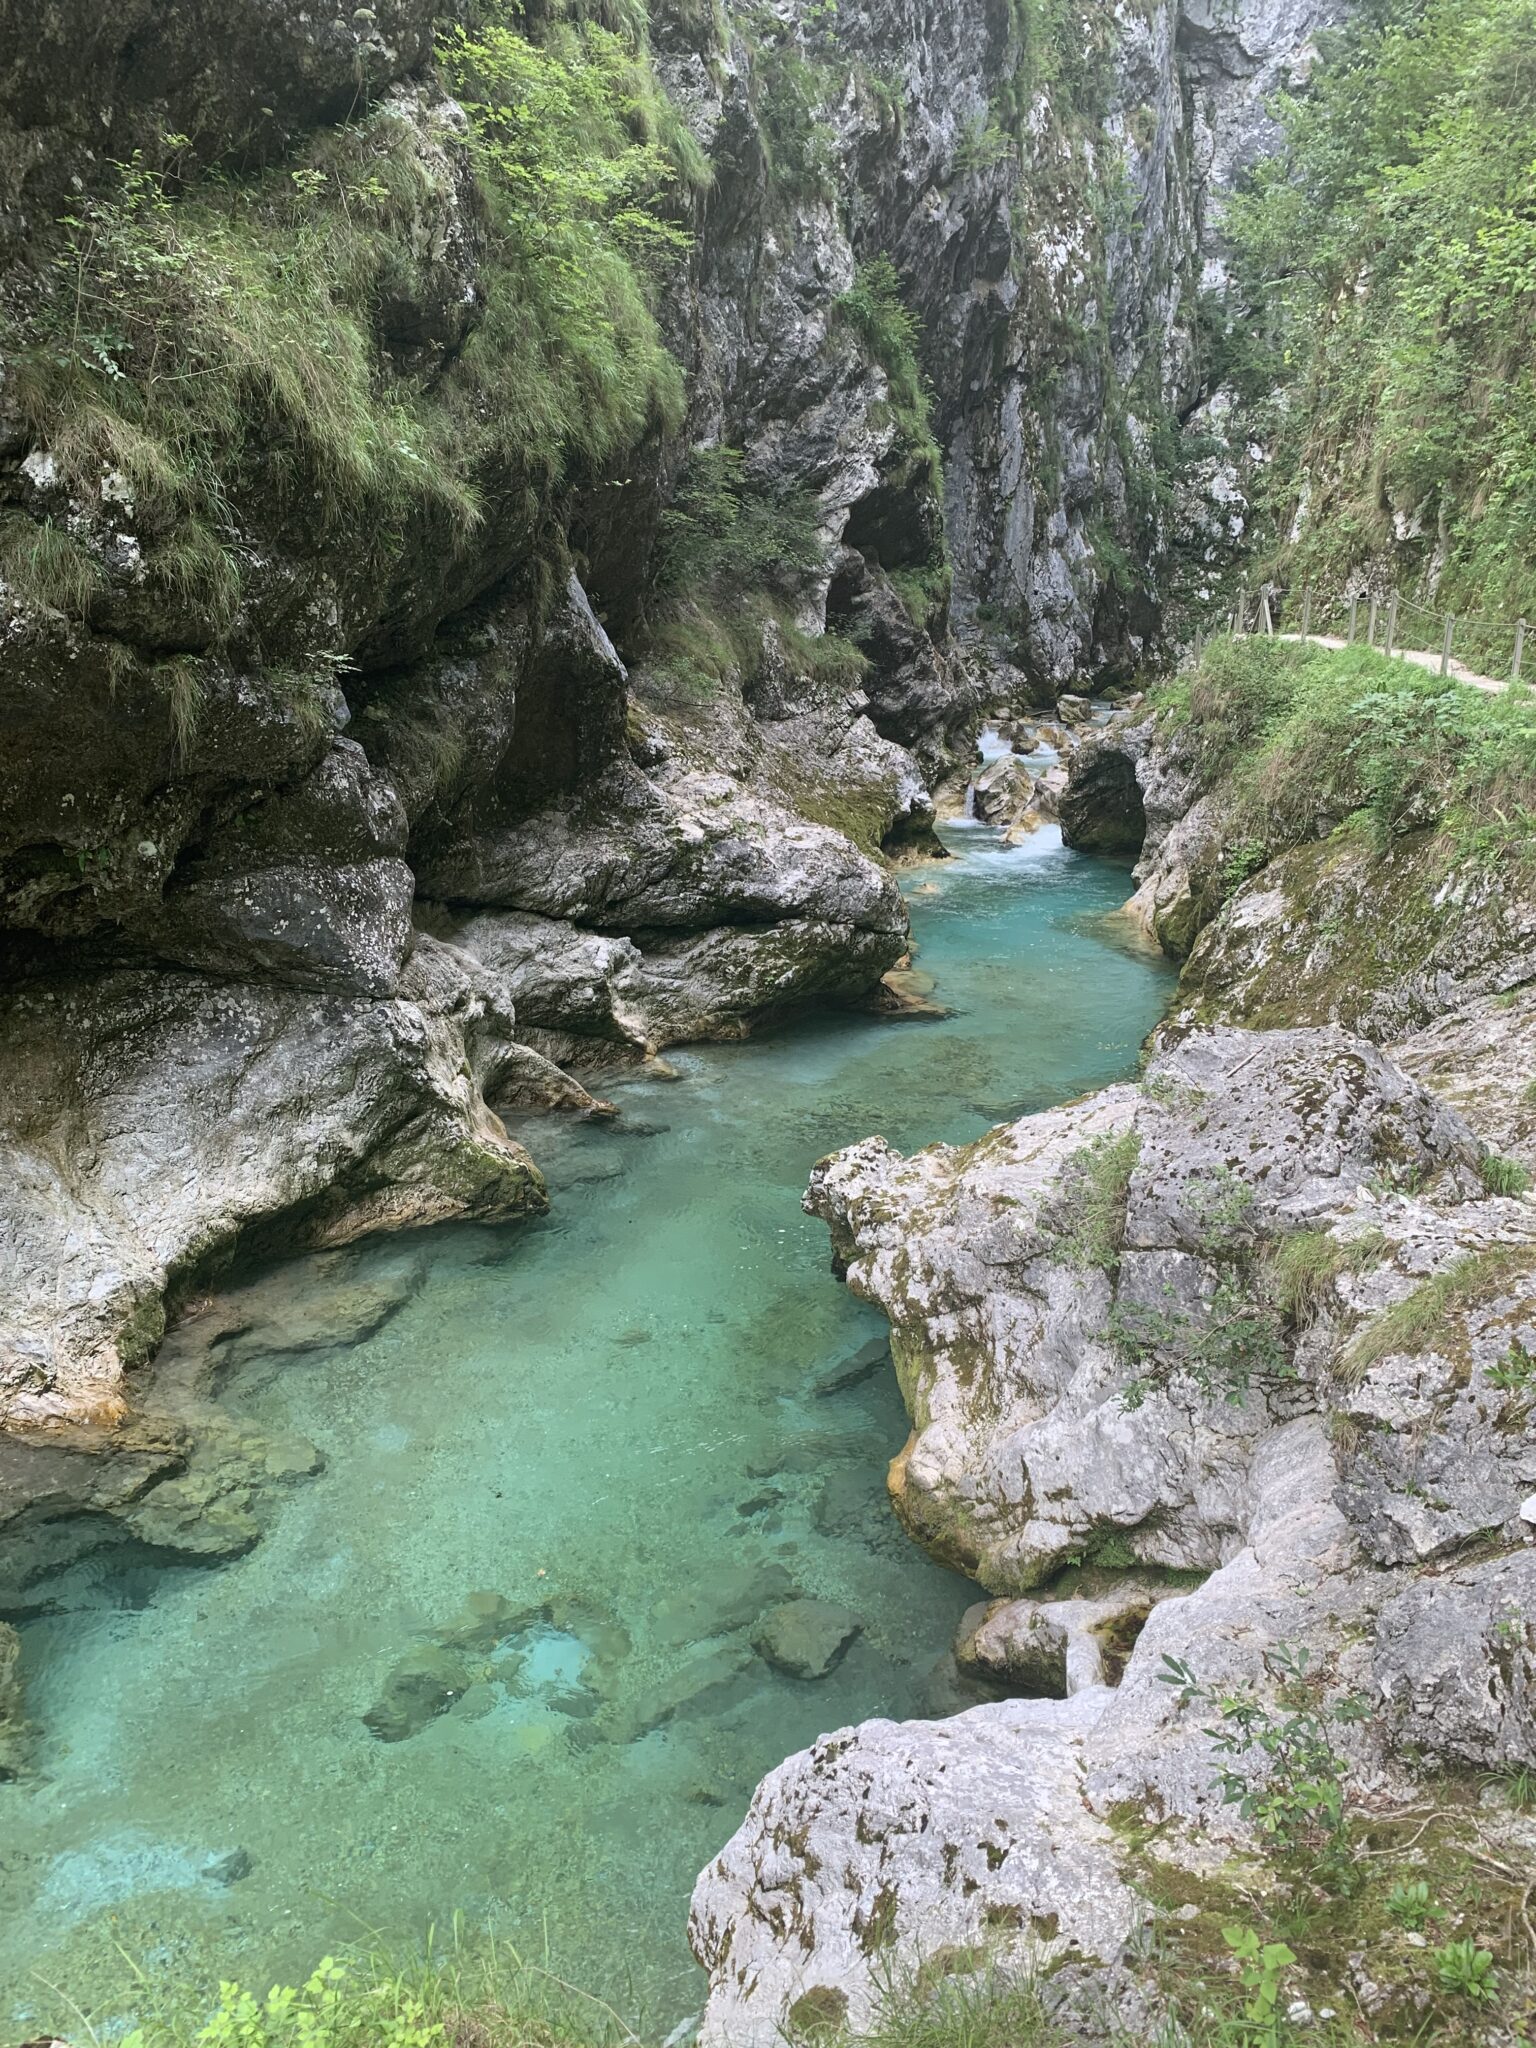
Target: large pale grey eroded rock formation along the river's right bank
{"type": "Point", "coordinates": [1189, 1328]}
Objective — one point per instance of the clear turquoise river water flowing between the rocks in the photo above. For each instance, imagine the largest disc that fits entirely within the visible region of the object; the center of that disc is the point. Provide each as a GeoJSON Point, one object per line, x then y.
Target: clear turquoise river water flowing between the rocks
{"type": "Point", "coordinates": [611, 1412]}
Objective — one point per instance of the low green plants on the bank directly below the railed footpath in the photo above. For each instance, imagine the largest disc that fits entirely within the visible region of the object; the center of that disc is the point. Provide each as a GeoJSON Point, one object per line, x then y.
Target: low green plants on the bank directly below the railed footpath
{"type": "Point", "coordinates": [1297, 732]}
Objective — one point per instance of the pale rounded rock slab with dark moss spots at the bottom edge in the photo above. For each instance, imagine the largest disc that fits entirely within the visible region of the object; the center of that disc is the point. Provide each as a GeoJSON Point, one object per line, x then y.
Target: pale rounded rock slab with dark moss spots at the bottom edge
{"type": "Point", "coordinates": [888, 1842]}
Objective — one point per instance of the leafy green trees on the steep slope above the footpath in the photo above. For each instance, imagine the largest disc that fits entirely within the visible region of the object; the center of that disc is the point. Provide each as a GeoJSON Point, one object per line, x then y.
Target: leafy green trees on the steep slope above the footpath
{"type": "Point", "coordinates": [1392, 251]}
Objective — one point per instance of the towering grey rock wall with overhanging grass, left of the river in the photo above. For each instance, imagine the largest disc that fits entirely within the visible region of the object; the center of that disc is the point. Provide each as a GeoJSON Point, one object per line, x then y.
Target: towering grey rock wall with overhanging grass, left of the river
{"type": "Point", "coordinates": [316, 726]}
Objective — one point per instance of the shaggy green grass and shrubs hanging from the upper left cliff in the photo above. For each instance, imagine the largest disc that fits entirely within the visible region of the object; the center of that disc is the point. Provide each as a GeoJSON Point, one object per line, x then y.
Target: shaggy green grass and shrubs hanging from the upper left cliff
{"type": "Point", "coordinates": [208, 347]}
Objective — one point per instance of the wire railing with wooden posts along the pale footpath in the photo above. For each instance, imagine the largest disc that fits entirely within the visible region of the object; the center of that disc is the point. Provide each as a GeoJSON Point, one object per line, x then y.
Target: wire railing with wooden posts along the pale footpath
{"type": "Point", "coordinates": [1388, 626]}
